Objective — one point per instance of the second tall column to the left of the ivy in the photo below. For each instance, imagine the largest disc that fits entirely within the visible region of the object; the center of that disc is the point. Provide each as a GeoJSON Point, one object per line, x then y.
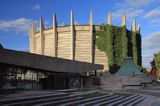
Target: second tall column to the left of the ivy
{"type": "Point", "coordinates": [72, 37]}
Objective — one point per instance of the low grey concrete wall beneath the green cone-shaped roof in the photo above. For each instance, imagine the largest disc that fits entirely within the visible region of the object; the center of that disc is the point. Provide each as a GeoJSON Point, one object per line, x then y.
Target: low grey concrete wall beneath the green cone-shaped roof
{"type": "Point", "coordinates": [116, 82]}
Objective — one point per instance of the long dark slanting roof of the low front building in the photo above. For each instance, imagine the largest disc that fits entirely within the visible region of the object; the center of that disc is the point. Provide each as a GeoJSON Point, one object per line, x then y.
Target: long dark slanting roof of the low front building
{"type": "Point", "coordinates": [45, 63]}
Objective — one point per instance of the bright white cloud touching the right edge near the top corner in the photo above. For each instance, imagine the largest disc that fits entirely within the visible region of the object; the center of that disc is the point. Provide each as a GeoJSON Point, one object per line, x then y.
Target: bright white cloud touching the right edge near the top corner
{"type": "Point", "coordinates": [153, 13]}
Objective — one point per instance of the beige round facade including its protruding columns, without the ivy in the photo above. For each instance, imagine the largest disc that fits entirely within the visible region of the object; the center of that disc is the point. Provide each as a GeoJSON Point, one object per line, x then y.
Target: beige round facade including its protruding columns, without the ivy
{"type": "Point", "coordinates": [74, 42]}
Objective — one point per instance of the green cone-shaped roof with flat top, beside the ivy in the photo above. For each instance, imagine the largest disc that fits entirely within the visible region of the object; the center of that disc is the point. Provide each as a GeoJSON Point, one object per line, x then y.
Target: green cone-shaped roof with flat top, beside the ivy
{"type": "Point", "coordinates": [128, 67]}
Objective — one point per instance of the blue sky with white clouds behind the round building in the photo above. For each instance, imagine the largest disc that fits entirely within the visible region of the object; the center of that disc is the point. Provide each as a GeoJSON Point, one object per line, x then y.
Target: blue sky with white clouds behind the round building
{"type": "Point", "coordinates": [16, 17]}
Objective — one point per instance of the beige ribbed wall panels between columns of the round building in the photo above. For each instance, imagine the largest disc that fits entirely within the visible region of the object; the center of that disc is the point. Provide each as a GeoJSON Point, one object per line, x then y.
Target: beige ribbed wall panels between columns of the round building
{"type": "Point", "coordinates": [82, 44]}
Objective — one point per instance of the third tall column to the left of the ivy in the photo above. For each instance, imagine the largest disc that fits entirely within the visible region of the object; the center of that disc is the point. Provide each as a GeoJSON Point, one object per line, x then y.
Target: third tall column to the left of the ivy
{"type": "Point", "coordinates": [55, 36]}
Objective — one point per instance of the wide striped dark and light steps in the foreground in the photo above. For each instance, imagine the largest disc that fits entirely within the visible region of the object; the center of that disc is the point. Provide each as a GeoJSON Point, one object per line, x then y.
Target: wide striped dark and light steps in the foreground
{"type": "Point", "coordinates": [64, 99]}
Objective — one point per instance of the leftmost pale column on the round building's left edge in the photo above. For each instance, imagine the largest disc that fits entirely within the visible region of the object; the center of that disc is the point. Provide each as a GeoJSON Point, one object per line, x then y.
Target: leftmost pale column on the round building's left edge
{"type": "Point", "coordinates": [32, 38]}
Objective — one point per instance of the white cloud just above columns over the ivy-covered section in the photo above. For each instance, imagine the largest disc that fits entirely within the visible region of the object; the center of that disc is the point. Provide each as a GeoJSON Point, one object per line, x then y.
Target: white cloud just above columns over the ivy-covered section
{"type": "Point", "coordinates": [130, 13]}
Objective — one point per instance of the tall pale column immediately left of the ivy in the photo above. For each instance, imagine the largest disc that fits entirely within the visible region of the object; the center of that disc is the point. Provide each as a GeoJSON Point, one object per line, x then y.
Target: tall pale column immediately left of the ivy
{"type": "Point", "coordinates": [91, 34]}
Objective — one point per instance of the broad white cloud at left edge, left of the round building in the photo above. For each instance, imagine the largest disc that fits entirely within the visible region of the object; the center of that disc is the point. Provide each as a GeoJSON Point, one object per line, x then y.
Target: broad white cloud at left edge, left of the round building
{"type": "Point", "coordinates": [18, 25]}
